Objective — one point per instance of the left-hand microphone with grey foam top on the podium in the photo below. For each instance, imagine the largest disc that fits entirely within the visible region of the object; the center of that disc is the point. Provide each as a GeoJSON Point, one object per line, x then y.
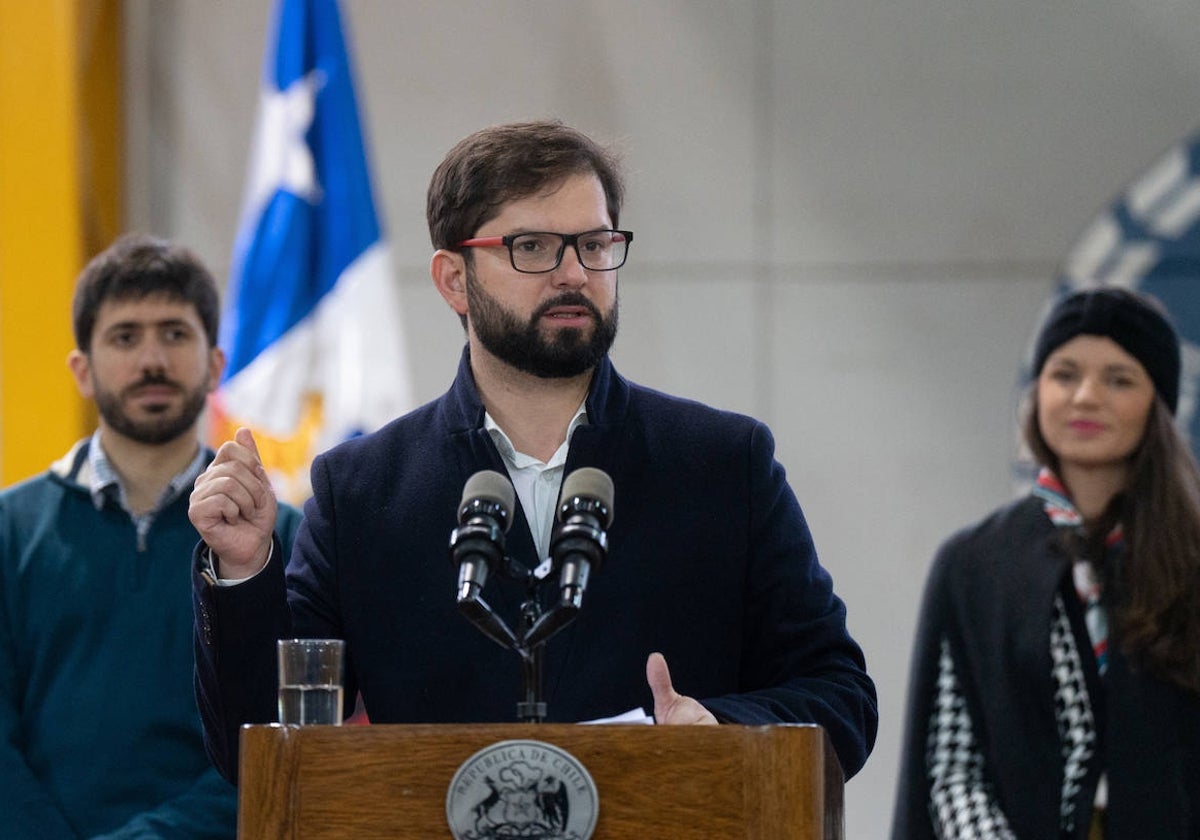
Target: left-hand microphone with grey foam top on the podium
{"type": "Point", "coordinates": [477, 547]}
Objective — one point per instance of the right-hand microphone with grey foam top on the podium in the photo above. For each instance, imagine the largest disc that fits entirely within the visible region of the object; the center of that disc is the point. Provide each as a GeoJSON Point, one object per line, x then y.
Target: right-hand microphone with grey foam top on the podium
{"type": "Point", "coordinates": [580, 545]}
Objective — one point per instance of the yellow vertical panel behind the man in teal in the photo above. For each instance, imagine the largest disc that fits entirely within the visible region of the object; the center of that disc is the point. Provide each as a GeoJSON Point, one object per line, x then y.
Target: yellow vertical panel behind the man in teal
{"type": "Point", "coordinates": [59, 202]}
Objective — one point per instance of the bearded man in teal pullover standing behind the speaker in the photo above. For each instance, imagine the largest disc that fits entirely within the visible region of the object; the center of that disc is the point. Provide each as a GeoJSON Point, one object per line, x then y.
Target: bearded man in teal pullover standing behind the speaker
{"type": "Point", "coordinates": [99, 730]}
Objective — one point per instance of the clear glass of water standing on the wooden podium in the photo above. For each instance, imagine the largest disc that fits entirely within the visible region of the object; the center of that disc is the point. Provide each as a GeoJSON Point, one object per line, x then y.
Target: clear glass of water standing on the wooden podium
{"type": "Point", "coordinates": [311, 681]}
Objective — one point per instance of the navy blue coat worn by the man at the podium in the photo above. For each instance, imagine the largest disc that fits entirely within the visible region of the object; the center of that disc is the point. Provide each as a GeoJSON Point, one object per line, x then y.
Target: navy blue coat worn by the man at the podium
{"type": "Point", "coordinates": [711, 563]}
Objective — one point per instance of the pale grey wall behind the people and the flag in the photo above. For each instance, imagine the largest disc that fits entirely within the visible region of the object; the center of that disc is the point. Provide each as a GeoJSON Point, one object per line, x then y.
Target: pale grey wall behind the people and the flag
{"type": "Point", "coordinates": [849, 215]}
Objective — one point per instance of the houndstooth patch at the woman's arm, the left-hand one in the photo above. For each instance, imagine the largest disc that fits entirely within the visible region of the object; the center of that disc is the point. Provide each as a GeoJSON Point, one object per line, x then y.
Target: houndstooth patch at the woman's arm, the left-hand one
{"type": "Point", "coordinates": [962, 802]}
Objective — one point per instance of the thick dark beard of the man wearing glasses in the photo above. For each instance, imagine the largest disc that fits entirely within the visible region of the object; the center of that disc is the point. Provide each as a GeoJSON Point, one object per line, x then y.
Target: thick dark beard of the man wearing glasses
{"type": "Point", "coordinates": [523, 346]}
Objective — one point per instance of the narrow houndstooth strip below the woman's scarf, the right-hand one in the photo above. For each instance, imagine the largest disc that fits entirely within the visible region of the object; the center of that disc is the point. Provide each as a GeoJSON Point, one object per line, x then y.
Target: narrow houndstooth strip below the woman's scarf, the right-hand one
{"type": "Point", "coordinates": [1073, 712]}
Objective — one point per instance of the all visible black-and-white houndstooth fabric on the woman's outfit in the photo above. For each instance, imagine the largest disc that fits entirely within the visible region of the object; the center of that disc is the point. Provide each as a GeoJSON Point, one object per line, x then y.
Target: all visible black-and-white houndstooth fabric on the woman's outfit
{"type": "Point", "coordinates": [963, 806]}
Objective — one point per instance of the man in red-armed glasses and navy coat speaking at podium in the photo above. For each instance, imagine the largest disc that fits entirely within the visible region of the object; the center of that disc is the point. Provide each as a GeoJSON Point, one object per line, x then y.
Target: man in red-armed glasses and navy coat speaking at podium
{"type": "Point", "coordinates": [710, 561]}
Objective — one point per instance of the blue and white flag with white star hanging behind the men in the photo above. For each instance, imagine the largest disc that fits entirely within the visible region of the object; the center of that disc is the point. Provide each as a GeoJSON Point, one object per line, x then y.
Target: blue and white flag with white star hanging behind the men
{"type": "Point", "coordinates": [311, 325]}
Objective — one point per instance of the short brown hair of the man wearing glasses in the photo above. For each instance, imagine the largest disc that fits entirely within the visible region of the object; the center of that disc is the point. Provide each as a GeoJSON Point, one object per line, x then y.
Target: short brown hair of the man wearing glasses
{"type": "Point", "coordinates": [507, 163]}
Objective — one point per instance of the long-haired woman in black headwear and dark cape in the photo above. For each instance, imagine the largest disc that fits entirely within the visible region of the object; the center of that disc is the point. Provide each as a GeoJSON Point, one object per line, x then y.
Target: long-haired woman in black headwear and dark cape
{"type": "Point", "coordinates": [1055, 683]}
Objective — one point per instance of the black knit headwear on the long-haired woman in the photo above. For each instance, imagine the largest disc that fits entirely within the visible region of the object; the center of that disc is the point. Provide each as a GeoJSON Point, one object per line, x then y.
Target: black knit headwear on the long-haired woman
{"type": "Point", "coordinates": [1125, 317]}
